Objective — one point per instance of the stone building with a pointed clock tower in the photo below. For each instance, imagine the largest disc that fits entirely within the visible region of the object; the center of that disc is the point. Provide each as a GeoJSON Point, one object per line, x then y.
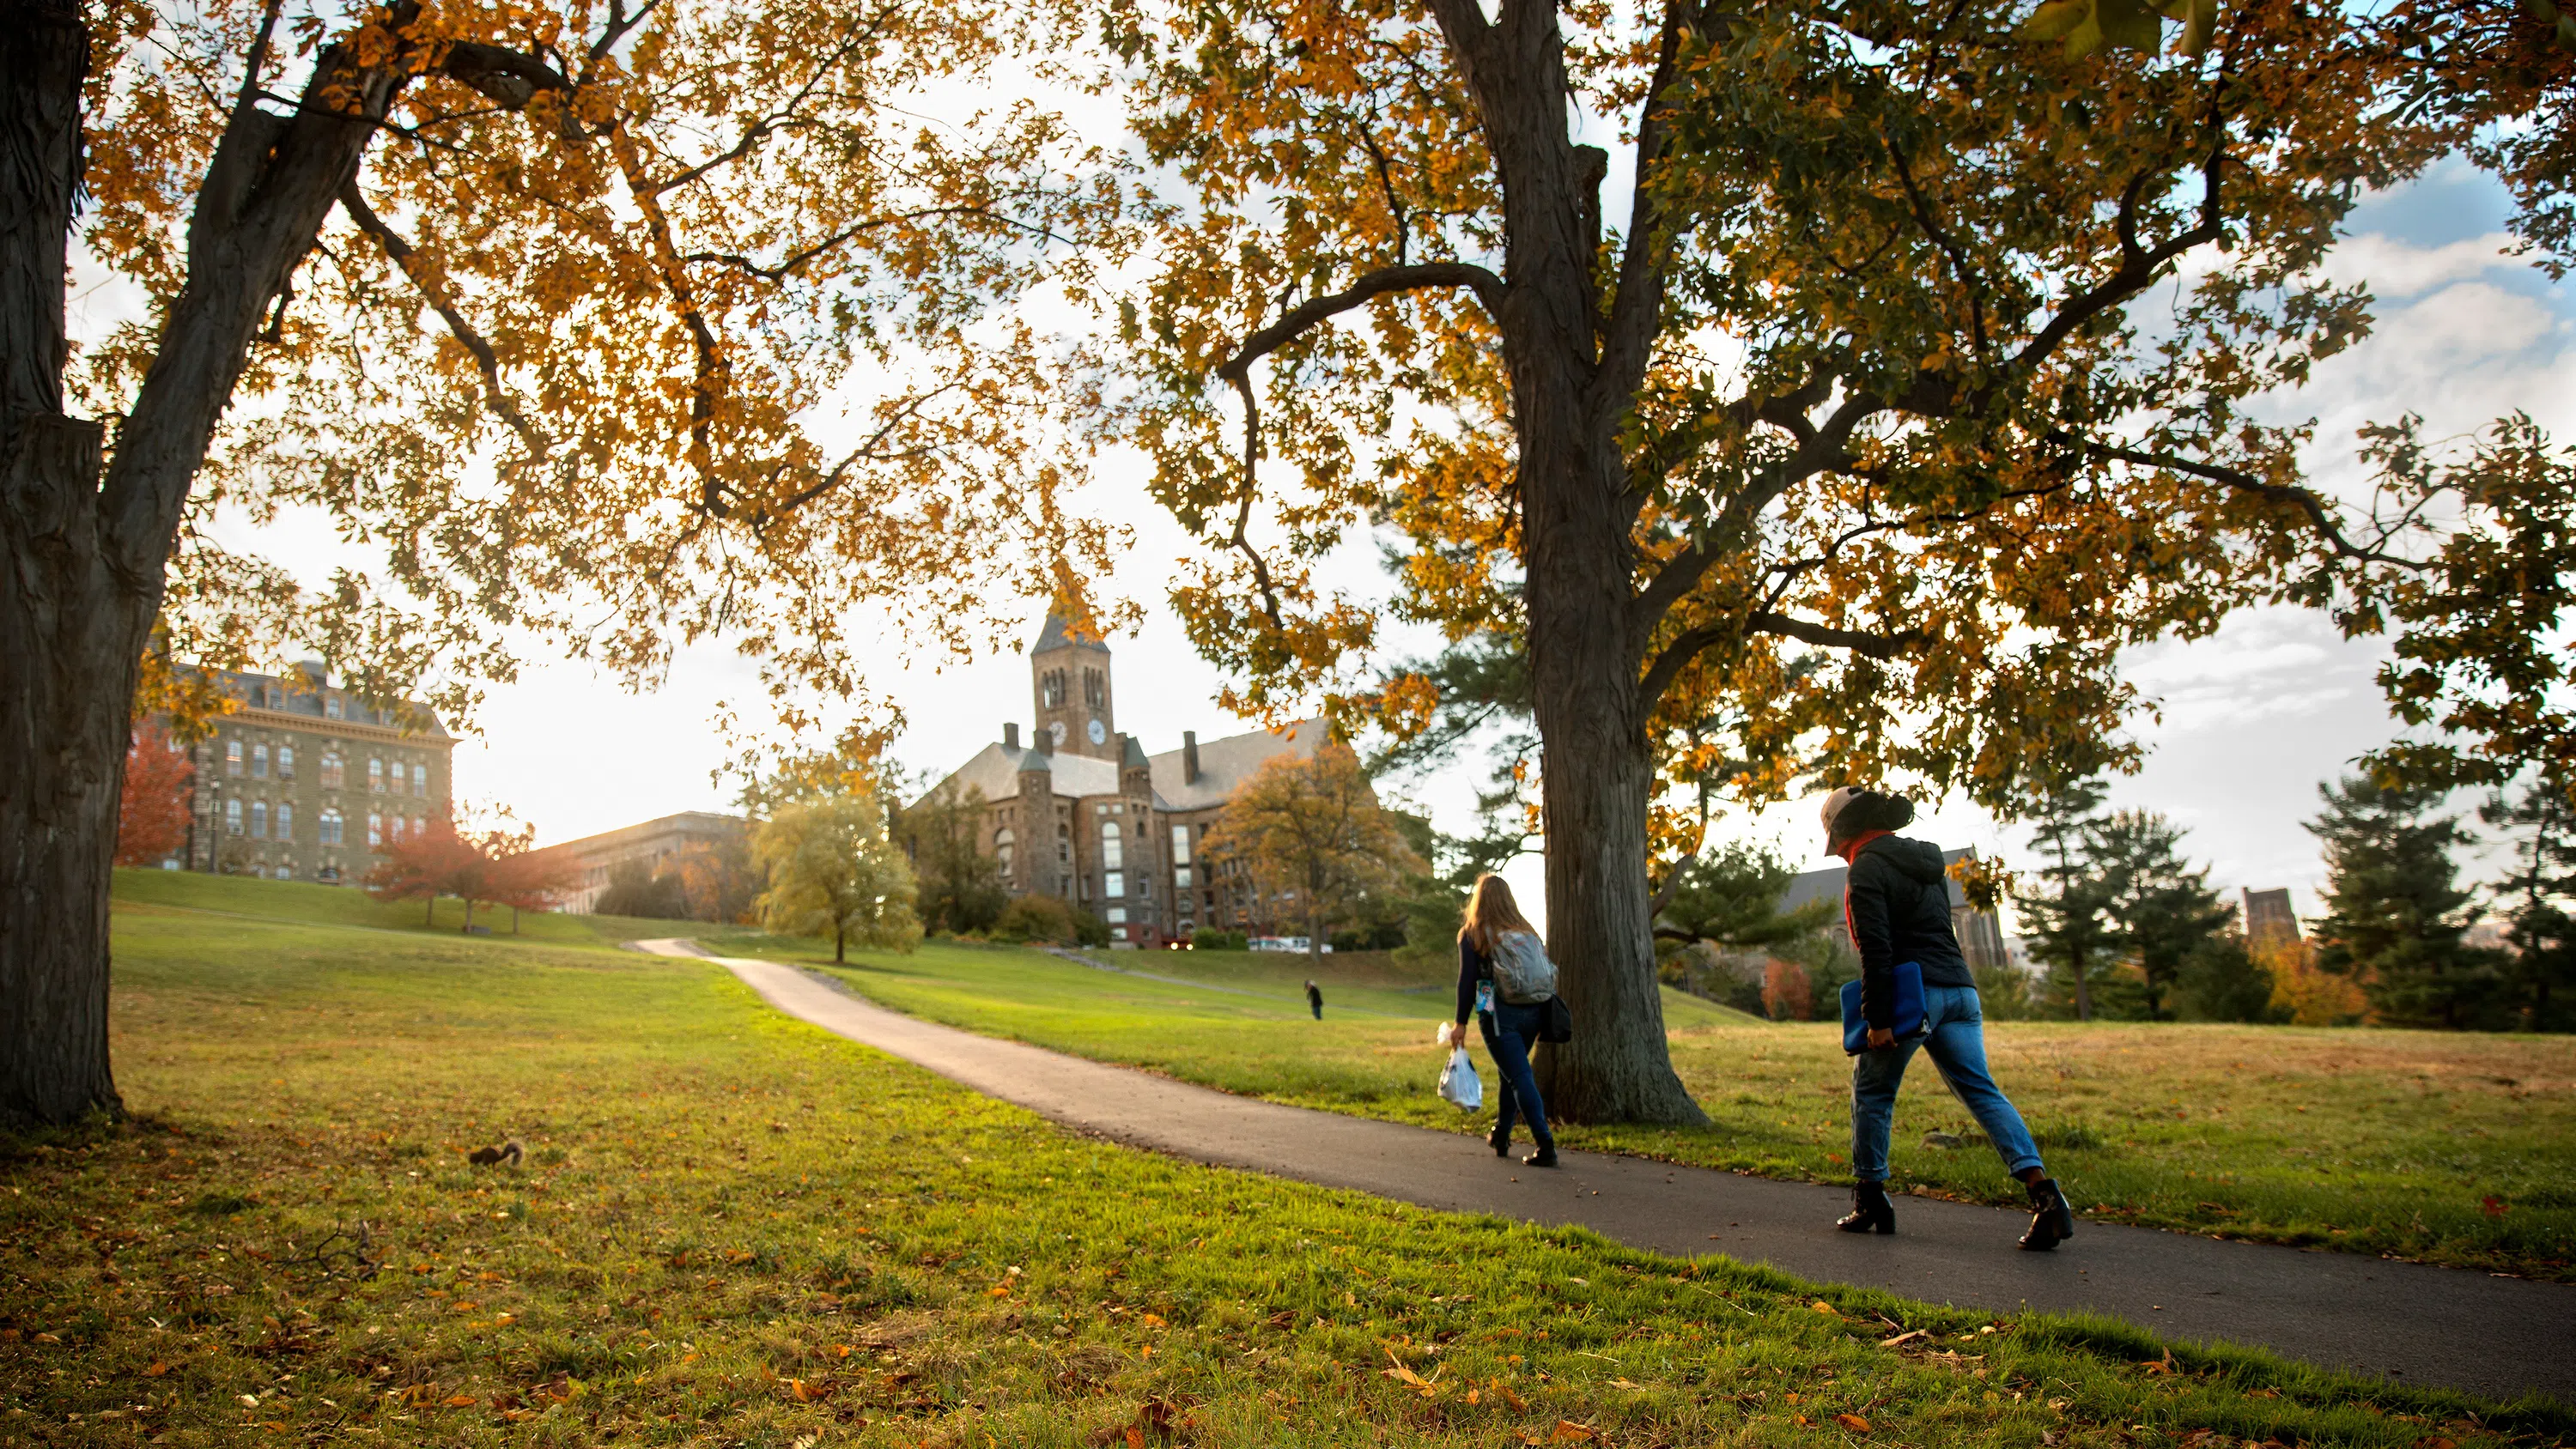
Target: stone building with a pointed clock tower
{"type": "Point", "coordinates": [1086, 815]}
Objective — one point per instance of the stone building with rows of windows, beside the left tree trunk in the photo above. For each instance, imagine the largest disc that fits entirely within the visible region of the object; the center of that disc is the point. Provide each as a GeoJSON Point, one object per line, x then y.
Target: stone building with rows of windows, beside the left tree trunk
{"type": "Point", "coordinates": [305, 781]}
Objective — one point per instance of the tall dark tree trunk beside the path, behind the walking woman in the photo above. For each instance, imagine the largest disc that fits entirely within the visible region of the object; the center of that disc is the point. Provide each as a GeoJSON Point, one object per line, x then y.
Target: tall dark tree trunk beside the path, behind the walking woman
{"type": "Point", "coordinates": [1586, 652]}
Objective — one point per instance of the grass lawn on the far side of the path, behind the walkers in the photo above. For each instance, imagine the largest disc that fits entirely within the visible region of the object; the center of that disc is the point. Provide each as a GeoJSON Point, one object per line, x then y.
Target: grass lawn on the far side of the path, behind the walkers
{"type": "Point", "coordinates": [2418, 1144]}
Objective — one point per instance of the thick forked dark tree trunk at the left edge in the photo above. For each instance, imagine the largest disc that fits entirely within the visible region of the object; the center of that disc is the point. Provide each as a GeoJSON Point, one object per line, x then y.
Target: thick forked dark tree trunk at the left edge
{"type": "Point", "coordinates": [84, 544]}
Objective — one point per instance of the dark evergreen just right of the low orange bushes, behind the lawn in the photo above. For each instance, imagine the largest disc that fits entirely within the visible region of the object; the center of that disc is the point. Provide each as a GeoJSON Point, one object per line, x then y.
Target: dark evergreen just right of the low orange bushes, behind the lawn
{"type": "Point", "coordinates": [2394, 907]}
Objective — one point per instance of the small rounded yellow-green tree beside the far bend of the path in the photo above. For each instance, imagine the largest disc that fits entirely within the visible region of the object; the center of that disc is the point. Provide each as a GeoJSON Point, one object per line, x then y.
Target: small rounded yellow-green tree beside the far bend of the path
{"type": "Point", "coordinates": [836, 874]}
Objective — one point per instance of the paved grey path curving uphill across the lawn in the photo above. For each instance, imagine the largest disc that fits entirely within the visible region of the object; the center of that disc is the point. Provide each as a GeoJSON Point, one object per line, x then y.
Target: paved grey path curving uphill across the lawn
{"type": "Point", "coordinates": [2407, 1322]}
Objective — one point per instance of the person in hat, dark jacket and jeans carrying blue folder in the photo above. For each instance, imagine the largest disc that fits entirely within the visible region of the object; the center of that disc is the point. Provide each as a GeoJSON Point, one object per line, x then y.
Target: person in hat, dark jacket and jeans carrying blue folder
{"type": "Point", "coordinates": [1897, 907]}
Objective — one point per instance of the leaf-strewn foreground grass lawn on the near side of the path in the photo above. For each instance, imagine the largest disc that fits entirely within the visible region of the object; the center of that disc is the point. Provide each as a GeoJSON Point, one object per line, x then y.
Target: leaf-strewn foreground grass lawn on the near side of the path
{"type": "Point", "coordinates": [735, 1229]}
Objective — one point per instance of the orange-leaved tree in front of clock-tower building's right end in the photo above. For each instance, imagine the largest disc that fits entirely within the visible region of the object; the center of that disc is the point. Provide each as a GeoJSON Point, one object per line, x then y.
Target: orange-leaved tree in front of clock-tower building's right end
{"type": "Point", "coordinates": [1315, 830]}
